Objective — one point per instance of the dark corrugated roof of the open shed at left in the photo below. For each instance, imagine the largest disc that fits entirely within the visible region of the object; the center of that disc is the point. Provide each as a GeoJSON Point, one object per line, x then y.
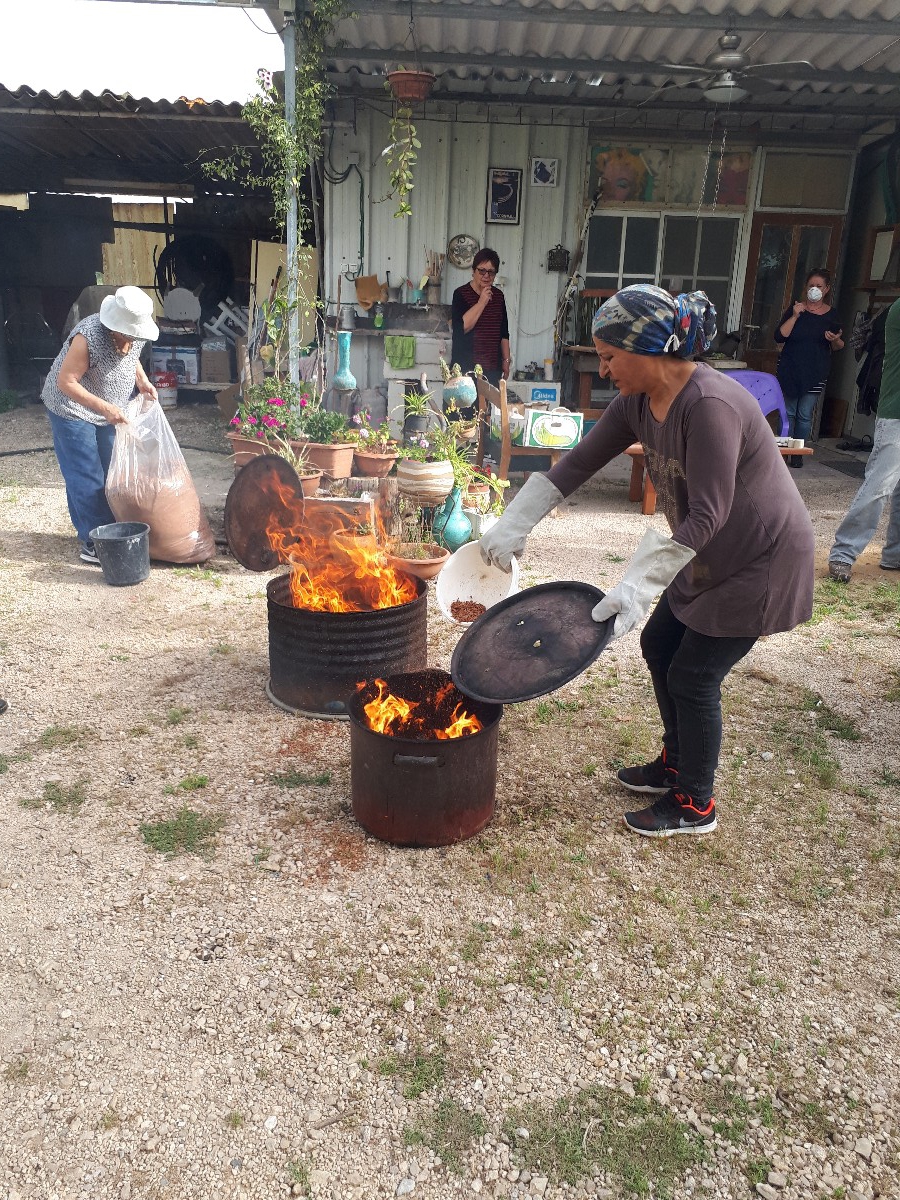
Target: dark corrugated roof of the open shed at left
{"type": "Point", "coordinates": [47, 142]}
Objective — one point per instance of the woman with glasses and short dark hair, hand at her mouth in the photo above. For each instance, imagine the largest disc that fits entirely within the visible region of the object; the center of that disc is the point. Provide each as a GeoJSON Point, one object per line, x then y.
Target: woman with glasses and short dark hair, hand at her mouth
{"type": "Point", "coordinates": [479, 321]}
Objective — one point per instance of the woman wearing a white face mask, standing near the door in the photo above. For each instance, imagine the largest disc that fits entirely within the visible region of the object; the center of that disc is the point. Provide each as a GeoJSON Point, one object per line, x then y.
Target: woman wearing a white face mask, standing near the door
{"type": "Point", "coordinates": [809, 332]}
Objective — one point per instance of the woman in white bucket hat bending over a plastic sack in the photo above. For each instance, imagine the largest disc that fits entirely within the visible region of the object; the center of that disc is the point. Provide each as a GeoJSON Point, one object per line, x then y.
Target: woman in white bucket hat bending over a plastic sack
{"type": "Point", "coordinates": [94, 376]}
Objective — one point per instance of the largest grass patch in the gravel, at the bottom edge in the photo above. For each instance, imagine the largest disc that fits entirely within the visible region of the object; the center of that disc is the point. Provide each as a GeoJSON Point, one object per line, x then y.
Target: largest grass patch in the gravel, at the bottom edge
{"type": "Point", "coordinates": [637, 1141]}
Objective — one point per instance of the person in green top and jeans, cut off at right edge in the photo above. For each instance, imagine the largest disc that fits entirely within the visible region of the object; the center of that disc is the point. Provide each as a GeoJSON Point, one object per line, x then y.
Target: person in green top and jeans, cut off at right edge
{"type": "Point", "coordinates": [883, 473]}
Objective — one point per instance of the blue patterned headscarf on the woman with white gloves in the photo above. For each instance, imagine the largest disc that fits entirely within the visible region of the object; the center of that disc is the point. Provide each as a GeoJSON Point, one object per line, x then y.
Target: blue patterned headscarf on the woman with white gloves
{"type": "Point", "coordinates": [645, 320]}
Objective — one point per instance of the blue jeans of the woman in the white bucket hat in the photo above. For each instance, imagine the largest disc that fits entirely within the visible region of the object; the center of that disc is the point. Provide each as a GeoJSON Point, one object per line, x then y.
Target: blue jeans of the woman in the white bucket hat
{"type": "Point", "coordinates": [83, 452]}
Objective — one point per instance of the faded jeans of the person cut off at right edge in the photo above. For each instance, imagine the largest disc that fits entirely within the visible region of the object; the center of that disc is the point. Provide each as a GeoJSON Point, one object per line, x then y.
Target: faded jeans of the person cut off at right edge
{"type": "Point", "coordinates": [883, 481]}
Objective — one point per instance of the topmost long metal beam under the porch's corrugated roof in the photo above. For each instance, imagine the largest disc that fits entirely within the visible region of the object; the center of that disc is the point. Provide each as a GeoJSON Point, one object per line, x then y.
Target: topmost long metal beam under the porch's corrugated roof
{"type": "Point", "coordinates": [580, 16]}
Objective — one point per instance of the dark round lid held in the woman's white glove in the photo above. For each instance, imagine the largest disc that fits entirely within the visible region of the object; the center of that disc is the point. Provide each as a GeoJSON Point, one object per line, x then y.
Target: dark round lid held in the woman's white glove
{"type": "Point", "coordinates": [531, 644]}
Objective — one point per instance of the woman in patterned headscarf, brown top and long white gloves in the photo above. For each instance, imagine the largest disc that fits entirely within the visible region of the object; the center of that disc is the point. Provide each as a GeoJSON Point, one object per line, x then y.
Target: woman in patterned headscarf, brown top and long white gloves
{"type": "Point", "coordinates": [739, 565]}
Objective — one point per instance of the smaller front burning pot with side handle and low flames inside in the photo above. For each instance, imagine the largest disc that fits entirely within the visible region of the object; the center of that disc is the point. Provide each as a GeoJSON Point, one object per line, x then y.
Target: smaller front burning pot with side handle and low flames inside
{"type": "Point", "coordinates": [423, 760]}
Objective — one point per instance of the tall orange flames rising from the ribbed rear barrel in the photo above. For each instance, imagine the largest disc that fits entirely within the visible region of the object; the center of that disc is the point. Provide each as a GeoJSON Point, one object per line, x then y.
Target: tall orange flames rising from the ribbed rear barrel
{"type": "Point", "coordinates": [332, 571]}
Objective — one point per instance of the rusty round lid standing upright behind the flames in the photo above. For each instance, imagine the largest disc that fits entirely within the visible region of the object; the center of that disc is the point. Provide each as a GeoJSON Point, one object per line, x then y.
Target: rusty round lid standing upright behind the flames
{"type": "Point", "coordinates": [267, 489]}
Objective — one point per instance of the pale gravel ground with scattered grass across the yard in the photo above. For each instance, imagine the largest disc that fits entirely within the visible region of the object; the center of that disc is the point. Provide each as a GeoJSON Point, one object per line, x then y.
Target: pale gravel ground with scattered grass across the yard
{"type": "Point", "coordinates": [553, 1009]}
